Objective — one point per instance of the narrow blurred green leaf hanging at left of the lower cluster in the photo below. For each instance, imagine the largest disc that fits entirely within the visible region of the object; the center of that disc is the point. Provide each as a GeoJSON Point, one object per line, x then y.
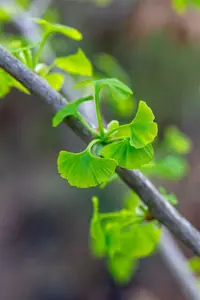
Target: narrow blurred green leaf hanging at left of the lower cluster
{"type": "Point", "coordinates": [97, 237]}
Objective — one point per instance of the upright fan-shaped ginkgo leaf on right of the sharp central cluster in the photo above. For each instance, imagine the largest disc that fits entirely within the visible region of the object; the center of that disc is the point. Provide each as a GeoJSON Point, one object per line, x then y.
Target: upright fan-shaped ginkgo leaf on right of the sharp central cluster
{"type": "Point", "coordinates": [143, 129]}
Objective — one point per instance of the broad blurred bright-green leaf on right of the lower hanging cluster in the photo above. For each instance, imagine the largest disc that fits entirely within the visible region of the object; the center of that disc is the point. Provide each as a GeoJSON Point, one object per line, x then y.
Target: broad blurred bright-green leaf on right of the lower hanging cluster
{"type": "Point", "coordinates": [141, 240]}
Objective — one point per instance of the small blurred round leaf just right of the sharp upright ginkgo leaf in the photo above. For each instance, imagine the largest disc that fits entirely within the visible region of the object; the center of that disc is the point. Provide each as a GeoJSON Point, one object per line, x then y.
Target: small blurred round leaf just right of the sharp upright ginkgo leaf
{"type": "Point", "coordinates": [177, 141]}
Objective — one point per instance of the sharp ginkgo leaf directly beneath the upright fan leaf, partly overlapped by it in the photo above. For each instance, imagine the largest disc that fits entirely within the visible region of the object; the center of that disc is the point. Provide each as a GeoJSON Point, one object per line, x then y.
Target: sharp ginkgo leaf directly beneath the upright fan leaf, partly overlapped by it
{"type": "Point", "coordinates": [127, 156]}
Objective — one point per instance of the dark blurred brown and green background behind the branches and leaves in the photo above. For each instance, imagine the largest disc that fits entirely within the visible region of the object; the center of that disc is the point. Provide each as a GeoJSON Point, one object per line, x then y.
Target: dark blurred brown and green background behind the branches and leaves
{"type": "Point", "coordinates": [44, 223]}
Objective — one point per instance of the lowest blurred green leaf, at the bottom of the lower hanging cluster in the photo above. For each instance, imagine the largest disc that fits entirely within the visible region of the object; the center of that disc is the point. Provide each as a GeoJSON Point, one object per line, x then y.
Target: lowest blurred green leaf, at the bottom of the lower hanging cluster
{"type": "Point", "coordinates": [121, 267]}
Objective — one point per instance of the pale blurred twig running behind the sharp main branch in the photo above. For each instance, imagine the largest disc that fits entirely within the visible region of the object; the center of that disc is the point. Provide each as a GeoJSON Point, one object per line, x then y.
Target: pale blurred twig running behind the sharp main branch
{"type": "Point", "coordinates": [167, 245]}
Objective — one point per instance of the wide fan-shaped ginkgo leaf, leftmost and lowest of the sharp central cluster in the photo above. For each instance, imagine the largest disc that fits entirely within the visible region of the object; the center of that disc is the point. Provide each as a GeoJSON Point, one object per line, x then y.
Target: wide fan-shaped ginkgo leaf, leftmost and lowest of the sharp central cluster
{"type": "Point", "coordinates": [84, 170]}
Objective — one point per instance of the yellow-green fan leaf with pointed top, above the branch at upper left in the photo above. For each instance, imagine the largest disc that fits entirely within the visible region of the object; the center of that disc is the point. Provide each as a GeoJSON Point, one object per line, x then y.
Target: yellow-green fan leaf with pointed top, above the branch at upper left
{"type": "Point", "coordinates": [76, 63]}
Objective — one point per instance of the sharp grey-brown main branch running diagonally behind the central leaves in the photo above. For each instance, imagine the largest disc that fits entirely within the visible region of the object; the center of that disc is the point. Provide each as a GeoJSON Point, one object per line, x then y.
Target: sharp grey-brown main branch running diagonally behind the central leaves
{"type": "Point", "coordinates": [156, 203]}
